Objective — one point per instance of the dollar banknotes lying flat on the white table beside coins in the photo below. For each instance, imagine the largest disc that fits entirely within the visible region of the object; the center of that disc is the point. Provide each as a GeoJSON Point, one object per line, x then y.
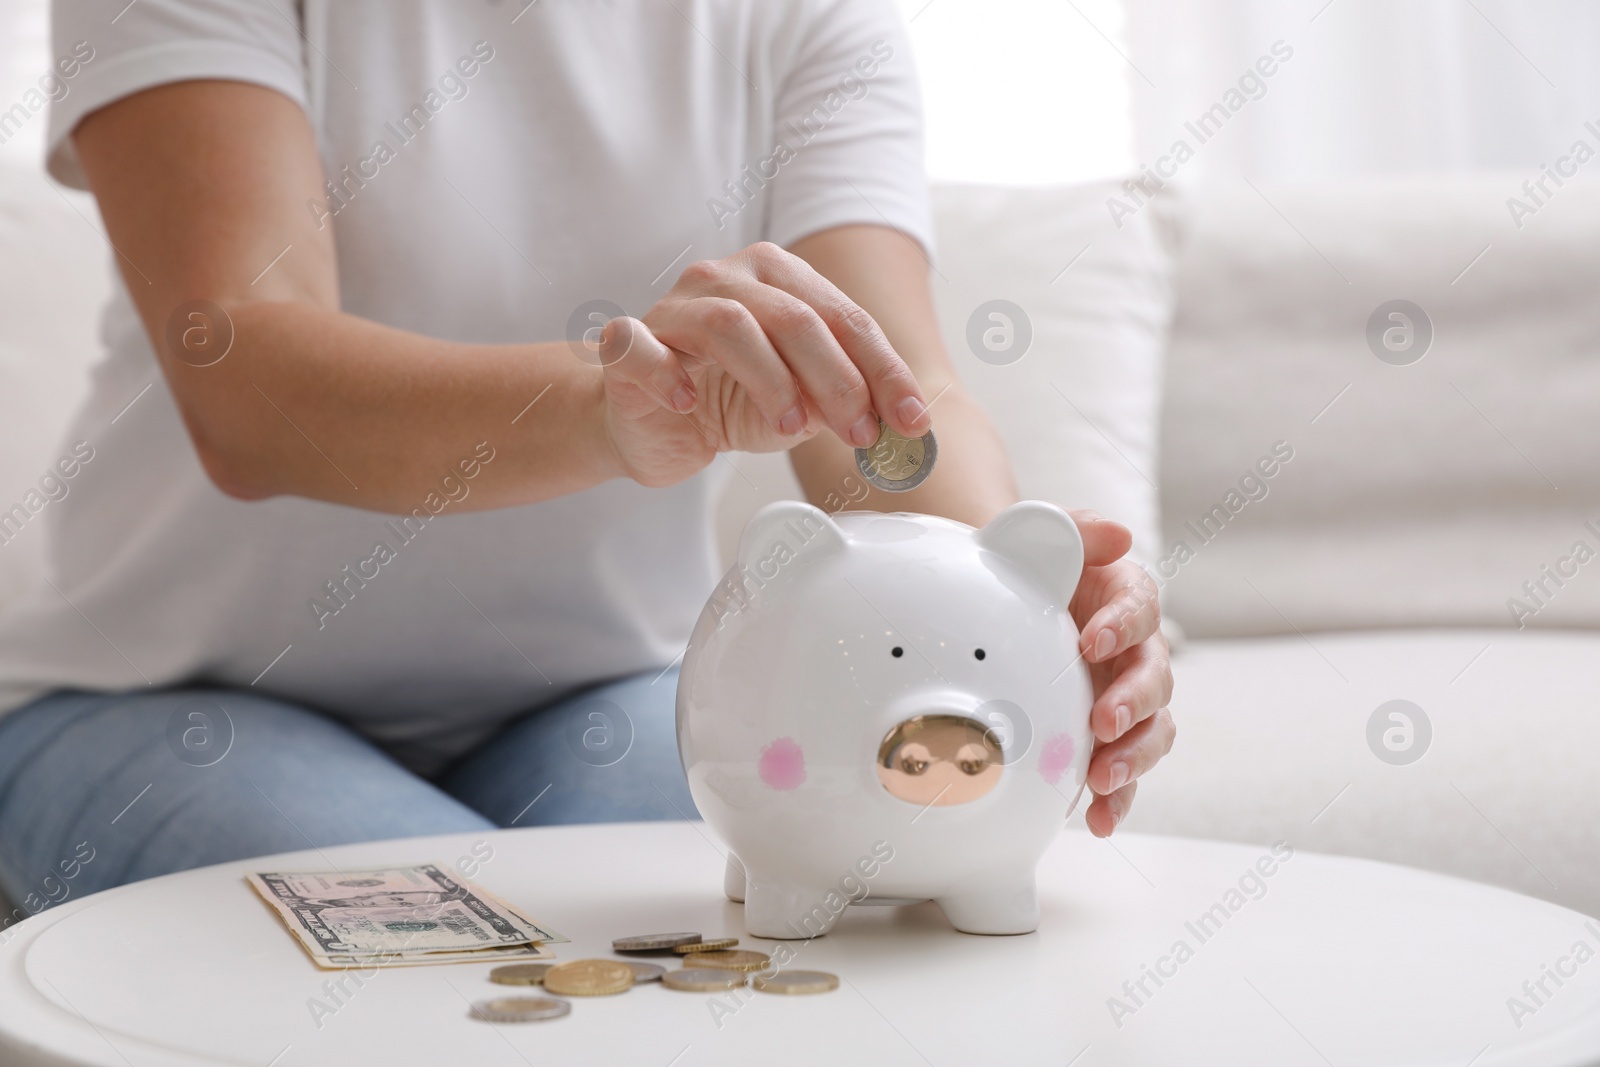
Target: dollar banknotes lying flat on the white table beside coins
{"type": "Point", "coordinates": [399, 916]}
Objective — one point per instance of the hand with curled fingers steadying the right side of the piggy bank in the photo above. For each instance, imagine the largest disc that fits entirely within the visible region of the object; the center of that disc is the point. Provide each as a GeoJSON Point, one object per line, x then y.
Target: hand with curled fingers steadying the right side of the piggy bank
{"type": "Point", "coordinates": [1121, 637]}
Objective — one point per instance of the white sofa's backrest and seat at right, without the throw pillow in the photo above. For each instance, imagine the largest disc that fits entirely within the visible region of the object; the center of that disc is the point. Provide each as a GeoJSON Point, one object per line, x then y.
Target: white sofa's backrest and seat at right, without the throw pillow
{"type": "Point", "coordinates": [1382, 564]}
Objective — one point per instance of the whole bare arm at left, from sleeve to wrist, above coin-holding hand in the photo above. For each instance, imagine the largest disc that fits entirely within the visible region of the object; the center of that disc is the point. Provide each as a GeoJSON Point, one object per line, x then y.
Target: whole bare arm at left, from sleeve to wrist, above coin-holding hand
{"type": "Point", "coordinates": [204, 190]}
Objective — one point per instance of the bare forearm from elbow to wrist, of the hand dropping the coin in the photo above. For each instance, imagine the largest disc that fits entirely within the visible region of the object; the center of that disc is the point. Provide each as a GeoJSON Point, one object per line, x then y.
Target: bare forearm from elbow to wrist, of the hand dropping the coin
{"type": "Point", "coordinates": [326, 406]}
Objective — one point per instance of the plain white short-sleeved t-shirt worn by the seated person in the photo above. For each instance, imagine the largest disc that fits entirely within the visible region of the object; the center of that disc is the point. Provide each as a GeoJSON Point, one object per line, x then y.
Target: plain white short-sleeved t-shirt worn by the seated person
{"type": "Point", "coordinates": [492, 169]}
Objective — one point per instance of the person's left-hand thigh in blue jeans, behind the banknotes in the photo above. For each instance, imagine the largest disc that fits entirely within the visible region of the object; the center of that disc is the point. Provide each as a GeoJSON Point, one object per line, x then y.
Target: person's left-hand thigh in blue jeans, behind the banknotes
{"type": "Point", "coordinates": [167, 781]}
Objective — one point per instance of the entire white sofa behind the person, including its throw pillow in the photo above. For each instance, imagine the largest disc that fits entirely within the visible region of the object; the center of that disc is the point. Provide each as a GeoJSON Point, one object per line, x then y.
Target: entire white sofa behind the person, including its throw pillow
{"type": "Point", "coordinates": [1175, 353]}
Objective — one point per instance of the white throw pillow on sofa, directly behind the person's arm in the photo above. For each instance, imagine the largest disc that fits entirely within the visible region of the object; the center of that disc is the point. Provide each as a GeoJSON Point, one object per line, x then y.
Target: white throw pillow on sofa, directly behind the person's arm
{"type": "Point", "coordinates": [1079, 410]}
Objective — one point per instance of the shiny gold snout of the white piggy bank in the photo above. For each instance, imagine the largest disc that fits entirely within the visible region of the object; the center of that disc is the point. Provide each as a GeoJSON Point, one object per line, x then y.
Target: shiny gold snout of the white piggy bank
{"type": "Point", "coordinates": [935, 761]}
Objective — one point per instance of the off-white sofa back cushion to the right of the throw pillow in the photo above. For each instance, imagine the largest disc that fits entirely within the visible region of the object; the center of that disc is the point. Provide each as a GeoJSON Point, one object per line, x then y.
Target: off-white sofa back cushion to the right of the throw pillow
{"type": "Point", "coordinates": [1425, 495]}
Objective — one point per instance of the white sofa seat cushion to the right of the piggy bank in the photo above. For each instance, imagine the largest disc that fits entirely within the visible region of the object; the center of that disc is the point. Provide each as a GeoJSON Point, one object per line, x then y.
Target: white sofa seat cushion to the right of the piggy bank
{"type": "Point", "coordinates": [1273, 746]}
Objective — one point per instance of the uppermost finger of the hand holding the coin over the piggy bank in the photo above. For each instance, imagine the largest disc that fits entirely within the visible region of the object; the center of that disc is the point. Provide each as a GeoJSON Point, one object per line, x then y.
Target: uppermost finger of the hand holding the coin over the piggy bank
{"type": "Point", "coordinates": [890, 385]}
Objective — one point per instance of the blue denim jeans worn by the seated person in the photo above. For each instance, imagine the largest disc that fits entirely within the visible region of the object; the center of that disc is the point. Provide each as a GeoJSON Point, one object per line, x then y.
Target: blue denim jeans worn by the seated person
{"type": "Point", "coordinates": [98, 789]}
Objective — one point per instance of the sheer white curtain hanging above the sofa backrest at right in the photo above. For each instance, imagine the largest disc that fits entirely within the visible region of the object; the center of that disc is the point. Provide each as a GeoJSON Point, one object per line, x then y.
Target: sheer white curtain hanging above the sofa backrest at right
{"type": "Point", "coordinates": [1369, 86]}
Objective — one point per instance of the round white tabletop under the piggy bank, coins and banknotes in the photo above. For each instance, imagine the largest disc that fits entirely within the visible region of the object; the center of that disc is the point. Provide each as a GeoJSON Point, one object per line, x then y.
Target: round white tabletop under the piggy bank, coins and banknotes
{"type": "Point", "coordinates": [1324, 962]}
